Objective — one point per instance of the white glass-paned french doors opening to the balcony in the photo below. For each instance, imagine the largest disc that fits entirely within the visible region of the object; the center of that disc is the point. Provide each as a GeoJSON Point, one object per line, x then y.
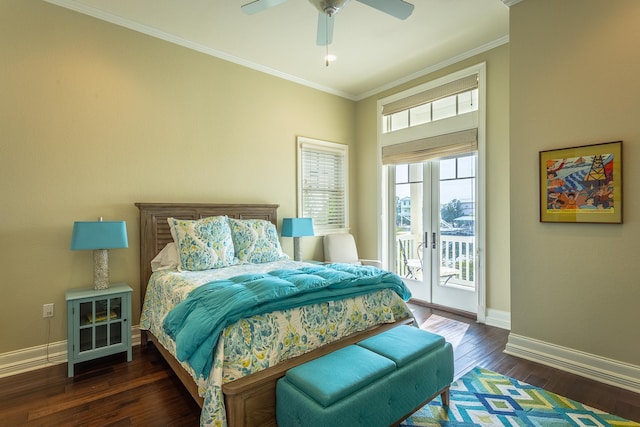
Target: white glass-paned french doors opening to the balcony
{"type": "Point", "coordinates": [434, 243]}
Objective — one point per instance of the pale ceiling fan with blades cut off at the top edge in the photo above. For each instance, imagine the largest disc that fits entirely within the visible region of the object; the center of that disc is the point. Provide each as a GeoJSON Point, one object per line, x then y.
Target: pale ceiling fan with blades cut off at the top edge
{"type": "Point", "coordinates": [328, 9]}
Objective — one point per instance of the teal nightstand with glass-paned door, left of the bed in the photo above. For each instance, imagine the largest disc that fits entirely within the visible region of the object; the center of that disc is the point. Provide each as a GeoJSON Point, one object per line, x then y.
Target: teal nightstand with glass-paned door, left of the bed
{"type": "Point", "coordinates": [98, 323]}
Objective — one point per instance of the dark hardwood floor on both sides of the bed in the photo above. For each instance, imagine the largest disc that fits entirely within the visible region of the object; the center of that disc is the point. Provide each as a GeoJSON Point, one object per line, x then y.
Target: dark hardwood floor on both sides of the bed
{"type": "Point", "coordinates": [144, 392]}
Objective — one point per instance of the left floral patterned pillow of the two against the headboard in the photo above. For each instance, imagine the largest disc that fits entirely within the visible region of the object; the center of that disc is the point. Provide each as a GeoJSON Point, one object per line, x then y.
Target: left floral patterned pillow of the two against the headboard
{"type": "Point", "coordinates": [203, 244]}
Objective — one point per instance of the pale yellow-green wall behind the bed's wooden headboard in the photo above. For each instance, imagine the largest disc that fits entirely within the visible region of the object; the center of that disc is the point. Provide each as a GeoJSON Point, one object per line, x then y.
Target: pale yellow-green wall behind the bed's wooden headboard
{"type": "Point", "coordinates": [95, 117]}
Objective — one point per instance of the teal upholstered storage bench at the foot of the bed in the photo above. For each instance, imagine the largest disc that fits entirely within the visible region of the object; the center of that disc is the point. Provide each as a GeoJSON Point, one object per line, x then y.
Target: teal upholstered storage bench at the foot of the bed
{"type": "Point", "coordinates": [376, 382]}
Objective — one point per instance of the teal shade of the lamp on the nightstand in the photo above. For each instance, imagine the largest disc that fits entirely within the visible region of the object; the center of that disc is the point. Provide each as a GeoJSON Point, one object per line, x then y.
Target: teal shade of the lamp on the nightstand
{"type": "Point", "coordinates": [91, 235]}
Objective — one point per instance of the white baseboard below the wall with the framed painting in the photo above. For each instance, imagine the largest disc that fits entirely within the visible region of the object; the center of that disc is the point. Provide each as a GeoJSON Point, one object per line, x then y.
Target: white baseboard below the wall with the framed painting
{"type": "Point", "coordinates": [608, 371]}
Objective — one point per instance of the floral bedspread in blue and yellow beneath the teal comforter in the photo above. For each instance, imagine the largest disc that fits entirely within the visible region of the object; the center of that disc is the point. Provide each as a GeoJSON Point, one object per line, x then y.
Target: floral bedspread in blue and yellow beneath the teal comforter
{"type": "Point", "coordinates": [261, 341]}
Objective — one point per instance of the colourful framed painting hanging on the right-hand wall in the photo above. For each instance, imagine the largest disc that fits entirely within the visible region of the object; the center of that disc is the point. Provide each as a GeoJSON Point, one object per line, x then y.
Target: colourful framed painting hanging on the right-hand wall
{"type": "Point", "coordinates": [582, 184]}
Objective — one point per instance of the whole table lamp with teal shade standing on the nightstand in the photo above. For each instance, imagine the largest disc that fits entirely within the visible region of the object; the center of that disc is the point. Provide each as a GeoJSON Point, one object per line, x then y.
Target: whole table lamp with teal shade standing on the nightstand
{"type": "Point", "coordinates": [99, 236]}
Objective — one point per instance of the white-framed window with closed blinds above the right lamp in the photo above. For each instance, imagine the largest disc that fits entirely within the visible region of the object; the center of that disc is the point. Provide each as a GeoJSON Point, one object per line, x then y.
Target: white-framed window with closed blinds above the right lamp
{"type": "Point", "coordinates": [322, 189]}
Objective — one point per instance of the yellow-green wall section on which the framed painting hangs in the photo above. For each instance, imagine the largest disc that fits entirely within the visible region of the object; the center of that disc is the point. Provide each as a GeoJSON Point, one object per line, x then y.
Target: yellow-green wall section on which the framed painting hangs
{"type": "Point", "coordinates": [574, 70]}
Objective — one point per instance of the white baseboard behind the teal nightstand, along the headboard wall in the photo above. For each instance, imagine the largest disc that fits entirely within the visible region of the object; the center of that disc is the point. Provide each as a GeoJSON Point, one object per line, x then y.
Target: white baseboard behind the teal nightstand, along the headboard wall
{"type": "Point", "coordinates": [42, 356]}
